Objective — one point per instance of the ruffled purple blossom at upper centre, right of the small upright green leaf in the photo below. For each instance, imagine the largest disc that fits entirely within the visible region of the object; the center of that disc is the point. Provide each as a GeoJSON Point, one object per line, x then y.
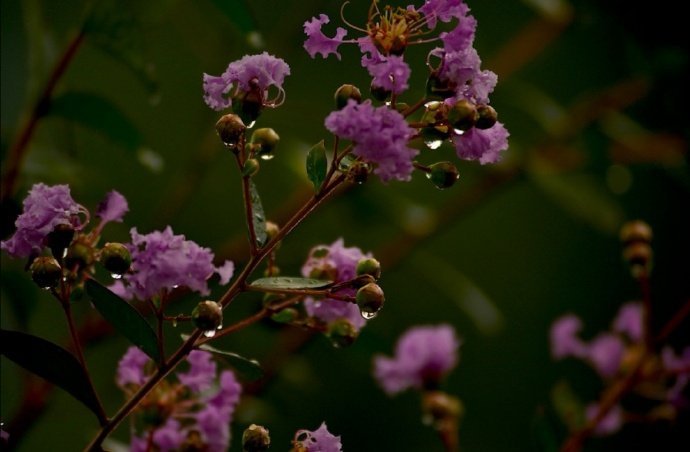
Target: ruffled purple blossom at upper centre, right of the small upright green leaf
{"type": "Point", "coordinates": [380, 136]}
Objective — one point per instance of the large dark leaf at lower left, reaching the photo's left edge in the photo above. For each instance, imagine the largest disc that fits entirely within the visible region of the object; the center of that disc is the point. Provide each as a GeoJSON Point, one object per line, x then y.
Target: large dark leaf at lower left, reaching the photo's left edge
{"type": "Point", "coordinates": [51, 362]}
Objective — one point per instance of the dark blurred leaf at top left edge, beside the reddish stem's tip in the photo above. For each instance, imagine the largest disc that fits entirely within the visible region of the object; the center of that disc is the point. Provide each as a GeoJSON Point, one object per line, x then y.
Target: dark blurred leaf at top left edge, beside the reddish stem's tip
{"type": "Point", "coordinates": [113, 27]}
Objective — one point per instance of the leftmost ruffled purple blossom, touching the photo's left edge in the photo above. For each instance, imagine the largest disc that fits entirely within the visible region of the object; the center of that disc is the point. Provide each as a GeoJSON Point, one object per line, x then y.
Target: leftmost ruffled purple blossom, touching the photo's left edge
{"type": "Point", "coordinates": [45, 207]}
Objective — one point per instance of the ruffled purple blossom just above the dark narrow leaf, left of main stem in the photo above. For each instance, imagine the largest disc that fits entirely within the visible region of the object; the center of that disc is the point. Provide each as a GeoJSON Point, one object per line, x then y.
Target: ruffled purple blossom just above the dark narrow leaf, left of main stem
{"type": "Point", "coordinates": [162, 260]}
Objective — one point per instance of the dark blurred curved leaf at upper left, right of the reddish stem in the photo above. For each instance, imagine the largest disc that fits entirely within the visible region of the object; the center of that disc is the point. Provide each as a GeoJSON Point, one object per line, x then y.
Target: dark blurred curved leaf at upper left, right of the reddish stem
{"type": "Point", "coordinates": [99, 114]}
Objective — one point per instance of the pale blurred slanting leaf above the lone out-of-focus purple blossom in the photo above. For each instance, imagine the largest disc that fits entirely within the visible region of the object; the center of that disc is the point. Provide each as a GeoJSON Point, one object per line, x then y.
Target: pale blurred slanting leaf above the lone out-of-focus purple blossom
{"type": "Point", "coordinates": [469, 298]}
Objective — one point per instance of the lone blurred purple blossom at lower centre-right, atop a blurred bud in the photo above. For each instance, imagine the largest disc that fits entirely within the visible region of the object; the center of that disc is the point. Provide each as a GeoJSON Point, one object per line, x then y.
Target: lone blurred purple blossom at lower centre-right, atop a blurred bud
{"type": "Point", "coordinates": [423, 356]}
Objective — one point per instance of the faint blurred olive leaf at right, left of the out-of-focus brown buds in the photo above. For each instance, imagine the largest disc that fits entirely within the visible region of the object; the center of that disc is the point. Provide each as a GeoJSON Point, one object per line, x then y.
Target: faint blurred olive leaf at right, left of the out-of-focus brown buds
{"type": "Point", "coordinates": [584, 198]}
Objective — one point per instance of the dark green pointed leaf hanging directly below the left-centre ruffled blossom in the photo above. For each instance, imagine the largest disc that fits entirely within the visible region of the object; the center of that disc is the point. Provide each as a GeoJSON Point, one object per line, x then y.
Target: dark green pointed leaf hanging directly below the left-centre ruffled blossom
{"type": "Point", "coordinates": [124, 318]}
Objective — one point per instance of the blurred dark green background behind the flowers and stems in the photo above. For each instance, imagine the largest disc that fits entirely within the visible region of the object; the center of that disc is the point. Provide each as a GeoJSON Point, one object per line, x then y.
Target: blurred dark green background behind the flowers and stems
{"type": "Point", "coordinates": [593, 93]}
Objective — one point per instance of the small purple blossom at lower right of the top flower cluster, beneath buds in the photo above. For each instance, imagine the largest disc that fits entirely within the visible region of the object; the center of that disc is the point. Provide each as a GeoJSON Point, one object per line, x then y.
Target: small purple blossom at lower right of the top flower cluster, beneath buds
{"type": "Point", "coordinates": [483, 145]}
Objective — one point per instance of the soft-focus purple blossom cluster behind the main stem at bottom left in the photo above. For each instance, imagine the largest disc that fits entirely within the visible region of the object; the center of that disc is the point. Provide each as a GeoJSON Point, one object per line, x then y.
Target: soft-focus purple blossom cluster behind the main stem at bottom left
{"type": "Point", "coordinates": [194, 411]}
